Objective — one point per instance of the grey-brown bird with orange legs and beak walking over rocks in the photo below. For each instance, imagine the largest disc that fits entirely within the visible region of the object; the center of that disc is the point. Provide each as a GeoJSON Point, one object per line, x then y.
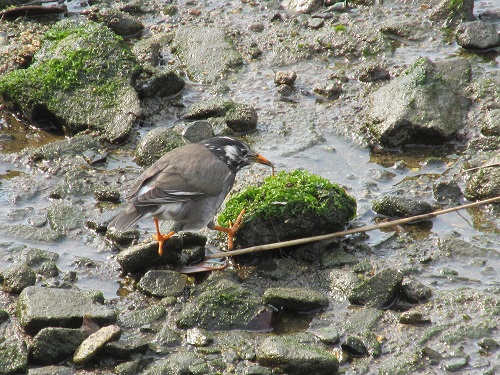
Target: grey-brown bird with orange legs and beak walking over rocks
{"type": "Point", "coordinates": [188, 185]}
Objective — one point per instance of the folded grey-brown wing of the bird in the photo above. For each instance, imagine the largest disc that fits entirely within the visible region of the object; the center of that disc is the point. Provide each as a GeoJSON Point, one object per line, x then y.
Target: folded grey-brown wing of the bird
{"type": "Point", "coordinates": [189, 174]}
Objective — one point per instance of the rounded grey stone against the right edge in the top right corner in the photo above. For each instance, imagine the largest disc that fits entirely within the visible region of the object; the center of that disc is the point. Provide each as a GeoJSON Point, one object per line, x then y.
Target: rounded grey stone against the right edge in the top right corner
{"type": "Point", "coordinates": [477, 35]}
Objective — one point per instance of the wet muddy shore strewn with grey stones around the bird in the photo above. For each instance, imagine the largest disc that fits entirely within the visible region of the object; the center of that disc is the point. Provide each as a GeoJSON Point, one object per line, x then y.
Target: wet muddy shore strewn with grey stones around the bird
{"type": "Point", "coordinates": [102, 89]}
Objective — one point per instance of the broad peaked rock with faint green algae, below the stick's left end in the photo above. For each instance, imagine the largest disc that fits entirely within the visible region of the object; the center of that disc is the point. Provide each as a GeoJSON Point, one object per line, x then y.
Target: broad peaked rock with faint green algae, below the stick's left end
{"type": "Point", "coordinates": [220, 305]}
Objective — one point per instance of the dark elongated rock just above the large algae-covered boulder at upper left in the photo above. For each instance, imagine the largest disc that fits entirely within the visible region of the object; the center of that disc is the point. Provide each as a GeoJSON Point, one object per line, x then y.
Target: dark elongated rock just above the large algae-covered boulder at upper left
{"type": "Point", "coordinates": [121, 23]}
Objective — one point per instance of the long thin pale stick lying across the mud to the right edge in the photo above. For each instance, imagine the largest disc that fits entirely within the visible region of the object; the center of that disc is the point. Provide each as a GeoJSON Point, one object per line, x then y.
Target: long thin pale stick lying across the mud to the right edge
{"type": "Point", "coordinates": [393, 223]}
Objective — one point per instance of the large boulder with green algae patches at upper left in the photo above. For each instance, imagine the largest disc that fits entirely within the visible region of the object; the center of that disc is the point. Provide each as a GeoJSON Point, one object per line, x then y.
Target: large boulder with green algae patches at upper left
{"type": "Point", "coordinates": [72, 83]}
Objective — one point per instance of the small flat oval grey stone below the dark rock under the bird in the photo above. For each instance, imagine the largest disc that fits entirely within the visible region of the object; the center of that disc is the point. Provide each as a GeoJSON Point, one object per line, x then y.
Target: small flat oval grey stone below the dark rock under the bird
{"type": "Point", "coordinates": [162, 283]}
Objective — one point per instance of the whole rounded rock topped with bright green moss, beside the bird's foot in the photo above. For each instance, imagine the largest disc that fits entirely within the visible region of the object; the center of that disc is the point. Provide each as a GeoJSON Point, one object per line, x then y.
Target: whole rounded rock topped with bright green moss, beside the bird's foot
{"type": "Point", "coordinates": [288, 206]}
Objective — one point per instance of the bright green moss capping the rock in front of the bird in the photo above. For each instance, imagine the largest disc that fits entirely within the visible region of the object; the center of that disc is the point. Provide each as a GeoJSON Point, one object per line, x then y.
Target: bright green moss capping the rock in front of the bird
{"type": "Point", "coordinates": [289, 194]}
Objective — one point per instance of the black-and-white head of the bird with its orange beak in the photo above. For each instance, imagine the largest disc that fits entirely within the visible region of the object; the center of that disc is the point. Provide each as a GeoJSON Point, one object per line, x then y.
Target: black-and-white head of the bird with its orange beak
{"type": "Point", "coordinates": [235, 153]}
